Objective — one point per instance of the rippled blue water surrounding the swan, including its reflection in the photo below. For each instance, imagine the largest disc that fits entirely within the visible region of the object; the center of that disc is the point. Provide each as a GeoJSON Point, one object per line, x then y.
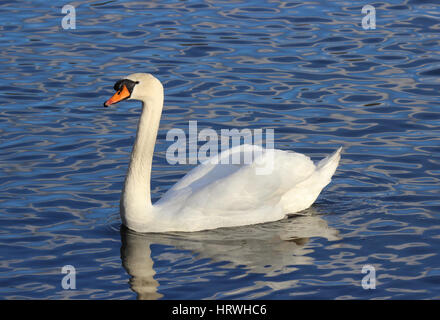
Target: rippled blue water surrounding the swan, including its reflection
{"type": "Point", "coordinates": [306, 69]}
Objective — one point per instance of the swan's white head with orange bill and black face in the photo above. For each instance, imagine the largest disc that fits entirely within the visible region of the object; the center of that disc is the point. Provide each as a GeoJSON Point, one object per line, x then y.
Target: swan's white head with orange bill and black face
{"type": "Point", "coordinates": [136, 86]}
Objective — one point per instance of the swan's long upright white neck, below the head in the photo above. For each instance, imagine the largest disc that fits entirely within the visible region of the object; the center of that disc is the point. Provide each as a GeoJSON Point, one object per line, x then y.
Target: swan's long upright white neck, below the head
{"type": "Point", "coordinates": [136, 206]}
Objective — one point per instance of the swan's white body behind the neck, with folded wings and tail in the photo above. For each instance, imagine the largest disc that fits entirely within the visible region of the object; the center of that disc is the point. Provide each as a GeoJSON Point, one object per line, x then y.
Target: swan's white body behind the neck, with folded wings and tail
{"type": "Point", "coordinates": [222, 195]}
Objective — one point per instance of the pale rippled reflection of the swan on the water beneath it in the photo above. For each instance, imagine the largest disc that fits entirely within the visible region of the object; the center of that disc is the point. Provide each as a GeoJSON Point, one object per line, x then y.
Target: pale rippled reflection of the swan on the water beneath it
{"type": "Point", "coordinates": [269, 248]}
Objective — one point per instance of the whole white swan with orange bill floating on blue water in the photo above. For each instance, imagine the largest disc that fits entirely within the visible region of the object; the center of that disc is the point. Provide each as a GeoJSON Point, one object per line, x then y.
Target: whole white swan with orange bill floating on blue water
{"type": "Point", "coordinates": [213, 194]}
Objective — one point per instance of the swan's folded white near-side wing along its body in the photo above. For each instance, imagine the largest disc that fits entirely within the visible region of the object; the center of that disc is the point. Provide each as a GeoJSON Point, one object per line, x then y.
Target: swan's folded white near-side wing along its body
{"type": "Point", "coordinates": [232, 189]}
